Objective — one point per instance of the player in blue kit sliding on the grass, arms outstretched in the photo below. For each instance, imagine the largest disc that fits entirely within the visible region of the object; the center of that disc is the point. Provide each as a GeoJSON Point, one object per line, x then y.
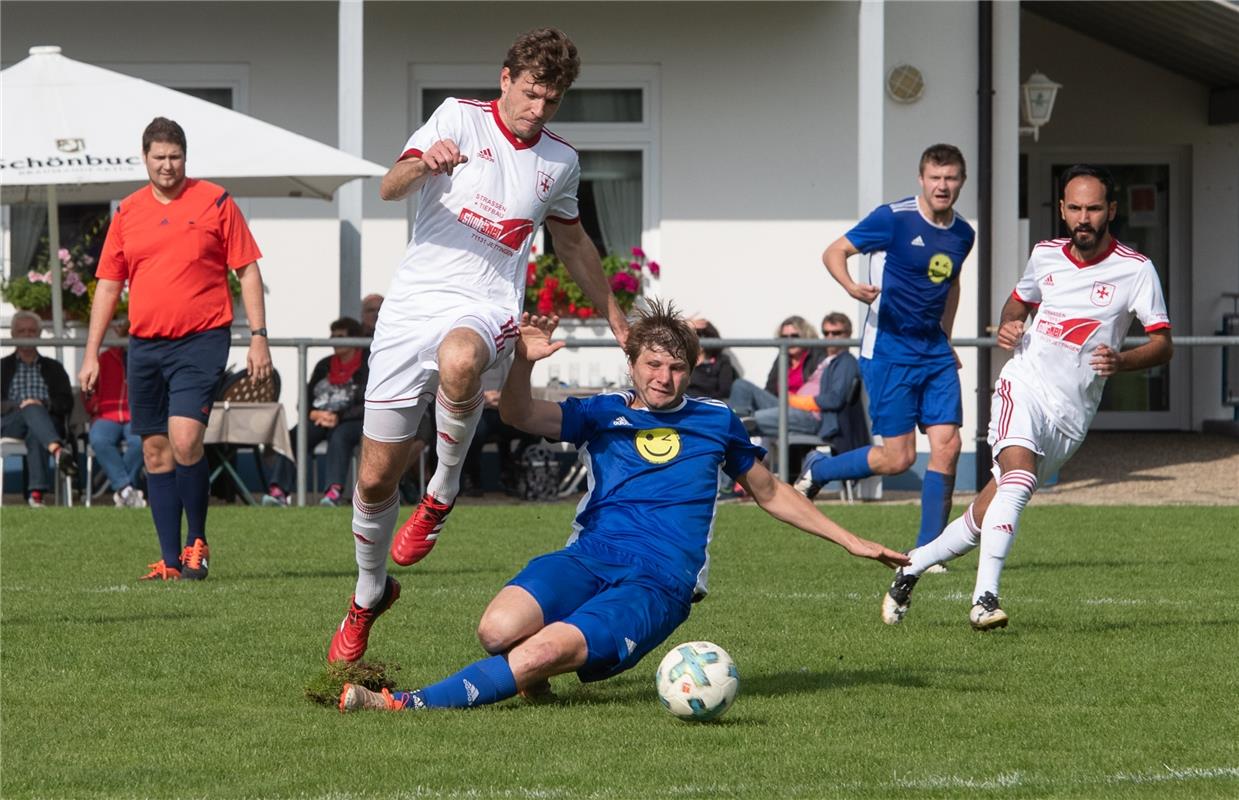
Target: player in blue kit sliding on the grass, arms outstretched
{"type": "Point", "coordinates": [637, 558]}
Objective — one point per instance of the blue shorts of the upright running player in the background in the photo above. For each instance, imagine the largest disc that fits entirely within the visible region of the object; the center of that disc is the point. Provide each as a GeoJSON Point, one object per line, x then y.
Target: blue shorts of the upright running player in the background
{"type": "Point", "coordinates": [905, 396]}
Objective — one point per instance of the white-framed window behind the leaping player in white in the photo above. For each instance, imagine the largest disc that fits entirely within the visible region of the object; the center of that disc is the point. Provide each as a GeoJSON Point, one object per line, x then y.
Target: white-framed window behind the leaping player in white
{"type": "Point", "coordinates": [610, 116]}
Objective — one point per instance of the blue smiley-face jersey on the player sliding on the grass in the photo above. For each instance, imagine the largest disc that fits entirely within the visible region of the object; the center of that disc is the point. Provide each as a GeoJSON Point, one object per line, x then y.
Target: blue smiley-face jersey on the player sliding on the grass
{"type": "Point", "coordinates": [654, 479]}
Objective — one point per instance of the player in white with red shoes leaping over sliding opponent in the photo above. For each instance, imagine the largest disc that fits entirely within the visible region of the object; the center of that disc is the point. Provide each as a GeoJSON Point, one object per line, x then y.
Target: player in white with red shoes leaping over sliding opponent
{"type": "Point", "coordinates": [489, 175]}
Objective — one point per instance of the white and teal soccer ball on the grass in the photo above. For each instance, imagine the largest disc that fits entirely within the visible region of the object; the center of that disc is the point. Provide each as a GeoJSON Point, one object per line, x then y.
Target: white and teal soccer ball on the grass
{"type": "Point", "coordinates": [697, 682]}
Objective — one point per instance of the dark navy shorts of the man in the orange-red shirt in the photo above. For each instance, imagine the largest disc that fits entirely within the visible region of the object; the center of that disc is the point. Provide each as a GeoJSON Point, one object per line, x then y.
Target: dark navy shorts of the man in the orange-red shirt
{"type": "Point", "coordinates": [175, 378]}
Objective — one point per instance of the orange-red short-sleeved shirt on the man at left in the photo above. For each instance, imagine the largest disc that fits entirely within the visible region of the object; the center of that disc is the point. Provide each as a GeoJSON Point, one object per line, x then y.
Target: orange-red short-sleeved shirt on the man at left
{"type": "Point", "coordinates": [177, 259]}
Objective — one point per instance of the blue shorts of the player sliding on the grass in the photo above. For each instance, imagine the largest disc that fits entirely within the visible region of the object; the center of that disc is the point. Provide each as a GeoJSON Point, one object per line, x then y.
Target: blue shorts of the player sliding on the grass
{"type": "Point", "coordinates": [623, 610]}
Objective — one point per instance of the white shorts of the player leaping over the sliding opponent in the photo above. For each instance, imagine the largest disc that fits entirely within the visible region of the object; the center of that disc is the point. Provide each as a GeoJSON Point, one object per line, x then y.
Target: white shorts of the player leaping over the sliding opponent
{"type": "Point", "coordinates": [405, 361]}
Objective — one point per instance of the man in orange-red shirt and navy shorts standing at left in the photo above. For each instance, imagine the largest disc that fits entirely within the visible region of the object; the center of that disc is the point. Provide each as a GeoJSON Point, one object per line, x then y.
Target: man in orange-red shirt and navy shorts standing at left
{"type": "Point", "coordinates": [175, 241]}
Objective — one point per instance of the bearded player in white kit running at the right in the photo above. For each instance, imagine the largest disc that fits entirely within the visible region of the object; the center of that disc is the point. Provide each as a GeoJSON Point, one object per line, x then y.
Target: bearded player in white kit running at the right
{"type": "Point", "coordinates": [1085, 293]}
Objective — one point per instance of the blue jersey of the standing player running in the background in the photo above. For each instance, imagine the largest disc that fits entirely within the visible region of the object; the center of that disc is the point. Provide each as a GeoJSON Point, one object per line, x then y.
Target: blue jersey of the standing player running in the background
{"type": "Point", "coordinates": [915, 263]}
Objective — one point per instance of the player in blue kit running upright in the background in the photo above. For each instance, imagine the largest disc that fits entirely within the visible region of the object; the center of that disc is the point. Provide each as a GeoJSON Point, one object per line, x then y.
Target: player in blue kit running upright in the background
{"type": "Point", "coordinates": [916, 248]}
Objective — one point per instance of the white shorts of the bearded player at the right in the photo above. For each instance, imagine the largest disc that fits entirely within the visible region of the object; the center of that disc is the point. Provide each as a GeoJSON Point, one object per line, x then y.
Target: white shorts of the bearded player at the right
{"type": "Point", "coordinates": [1017, 418]}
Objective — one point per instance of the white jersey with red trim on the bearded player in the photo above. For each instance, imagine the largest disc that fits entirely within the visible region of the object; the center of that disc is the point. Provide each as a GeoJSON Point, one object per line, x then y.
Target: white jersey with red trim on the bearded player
{"type": "Point", "coordinates": [1080, 308]}
